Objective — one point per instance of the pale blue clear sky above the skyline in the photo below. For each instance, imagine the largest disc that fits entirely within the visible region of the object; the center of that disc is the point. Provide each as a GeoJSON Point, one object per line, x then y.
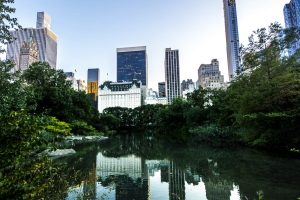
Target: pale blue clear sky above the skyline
{"type": "Point", "coordinates": [89, 31]}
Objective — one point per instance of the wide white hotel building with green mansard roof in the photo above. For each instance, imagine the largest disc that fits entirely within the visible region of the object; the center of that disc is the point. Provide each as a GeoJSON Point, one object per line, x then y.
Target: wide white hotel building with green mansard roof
{"type": "Point", "coordinates": [120, 94]}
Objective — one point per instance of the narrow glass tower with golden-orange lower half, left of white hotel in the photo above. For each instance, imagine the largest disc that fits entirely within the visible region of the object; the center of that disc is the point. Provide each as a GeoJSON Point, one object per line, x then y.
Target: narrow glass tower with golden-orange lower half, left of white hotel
{"type": "Point", "coordinates": [93, 84]}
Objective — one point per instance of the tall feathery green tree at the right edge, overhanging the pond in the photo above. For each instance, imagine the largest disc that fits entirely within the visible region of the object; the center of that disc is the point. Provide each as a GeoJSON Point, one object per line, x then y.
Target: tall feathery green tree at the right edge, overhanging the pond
{"type": "Point", "coordinates": [266, 98]}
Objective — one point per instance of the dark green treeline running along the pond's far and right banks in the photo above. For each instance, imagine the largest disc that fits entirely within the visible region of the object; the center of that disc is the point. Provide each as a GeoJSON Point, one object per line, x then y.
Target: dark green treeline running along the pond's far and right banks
{"type": "Point", "coordinates": [259, 108]}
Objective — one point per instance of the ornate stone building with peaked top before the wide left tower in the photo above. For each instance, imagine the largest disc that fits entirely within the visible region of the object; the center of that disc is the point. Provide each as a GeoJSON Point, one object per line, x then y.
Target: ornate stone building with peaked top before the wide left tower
{"type": "Point", "coordinates": [28, 54]}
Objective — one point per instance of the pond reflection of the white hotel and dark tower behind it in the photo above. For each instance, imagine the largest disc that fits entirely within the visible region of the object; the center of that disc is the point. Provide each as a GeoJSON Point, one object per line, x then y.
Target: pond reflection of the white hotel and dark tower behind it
{"type": "Point", "coordinates": [128, 174]}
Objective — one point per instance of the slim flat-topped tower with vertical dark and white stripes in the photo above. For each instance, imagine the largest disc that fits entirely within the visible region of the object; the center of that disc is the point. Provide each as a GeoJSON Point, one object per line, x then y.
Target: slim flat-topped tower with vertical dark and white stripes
{"type": "Point", "coordinates": [172, 74]}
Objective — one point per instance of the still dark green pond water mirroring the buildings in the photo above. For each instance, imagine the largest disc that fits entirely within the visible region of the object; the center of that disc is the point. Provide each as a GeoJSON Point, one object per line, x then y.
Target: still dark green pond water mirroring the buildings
{"type": "Point", "coordinates": [131, 168]}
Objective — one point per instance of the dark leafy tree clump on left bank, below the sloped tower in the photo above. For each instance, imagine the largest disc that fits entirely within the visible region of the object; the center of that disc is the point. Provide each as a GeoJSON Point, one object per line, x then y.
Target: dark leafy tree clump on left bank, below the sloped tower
{"type": "Point", "coordinates": [54, 96]}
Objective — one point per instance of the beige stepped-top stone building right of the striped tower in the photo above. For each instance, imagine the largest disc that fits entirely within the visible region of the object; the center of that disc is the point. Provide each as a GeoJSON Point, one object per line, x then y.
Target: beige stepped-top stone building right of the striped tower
{"type": "Point", "coordinates": [209, 76]}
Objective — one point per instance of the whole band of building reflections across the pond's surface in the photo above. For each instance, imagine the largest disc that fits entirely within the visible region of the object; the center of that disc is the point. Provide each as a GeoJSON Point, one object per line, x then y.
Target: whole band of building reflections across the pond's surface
{"type": "Point", "coordinates": [128, 178]}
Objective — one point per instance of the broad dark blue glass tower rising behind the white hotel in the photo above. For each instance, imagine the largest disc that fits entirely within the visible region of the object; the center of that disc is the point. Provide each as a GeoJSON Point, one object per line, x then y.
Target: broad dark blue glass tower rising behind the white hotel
{"type": "Point", "coordinates": [132, 64]}
